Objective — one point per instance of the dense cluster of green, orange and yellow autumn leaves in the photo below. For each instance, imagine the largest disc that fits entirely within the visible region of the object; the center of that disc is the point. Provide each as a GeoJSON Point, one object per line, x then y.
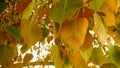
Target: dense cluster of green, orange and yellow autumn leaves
{"type": "Point", "coordinates": [71, 22]}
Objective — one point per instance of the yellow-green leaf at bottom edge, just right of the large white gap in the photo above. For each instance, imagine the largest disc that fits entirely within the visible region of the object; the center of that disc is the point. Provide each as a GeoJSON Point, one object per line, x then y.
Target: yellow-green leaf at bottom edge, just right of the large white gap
{"type": "Point", "coordinates": [58, 61]}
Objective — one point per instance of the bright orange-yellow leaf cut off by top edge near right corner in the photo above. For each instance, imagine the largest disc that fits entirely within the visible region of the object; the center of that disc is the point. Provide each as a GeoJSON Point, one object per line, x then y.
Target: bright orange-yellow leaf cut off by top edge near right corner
{"type": "Point", "coordinates": [112, 4]}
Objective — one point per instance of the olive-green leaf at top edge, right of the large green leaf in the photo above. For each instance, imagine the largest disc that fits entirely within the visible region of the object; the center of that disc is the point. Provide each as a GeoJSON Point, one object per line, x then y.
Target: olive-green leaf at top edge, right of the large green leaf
{"type": "Point", "coordinates": [96, 5]}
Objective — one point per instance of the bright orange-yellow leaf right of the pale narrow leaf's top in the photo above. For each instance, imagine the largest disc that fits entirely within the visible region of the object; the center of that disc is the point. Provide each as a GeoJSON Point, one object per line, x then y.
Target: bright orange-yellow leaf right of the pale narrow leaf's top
{"type": "Point", "coordinates": [109, 19]}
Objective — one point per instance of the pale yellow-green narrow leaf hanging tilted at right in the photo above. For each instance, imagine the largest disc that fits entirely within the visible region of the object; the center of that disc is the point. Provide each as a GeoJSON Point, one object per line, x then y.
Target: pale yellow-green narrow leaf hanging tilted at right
{"type": "Point", "coordinates": [100, 28]}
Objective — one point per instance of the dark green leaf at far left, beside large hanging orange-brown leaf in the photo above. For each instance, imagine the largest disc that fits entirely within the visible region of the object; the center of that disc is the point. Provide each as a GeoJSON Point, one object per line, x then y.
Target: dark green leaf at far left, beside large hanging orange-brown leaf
{"type": "Point", "coordinates": [14, 32]}
